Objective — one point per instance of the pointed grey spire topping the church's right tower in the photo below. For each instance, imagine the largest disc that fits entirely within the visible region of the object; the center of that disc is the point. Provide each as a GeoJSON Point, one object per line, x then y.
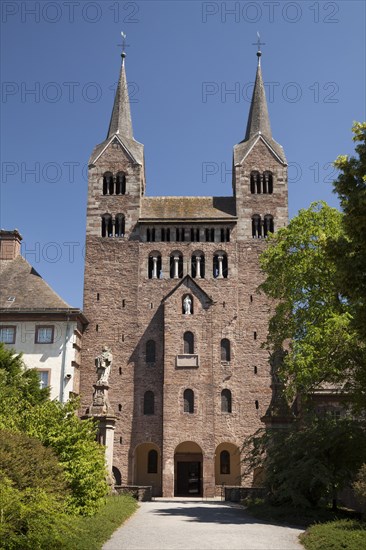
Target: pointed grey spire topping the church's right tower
{"type": "Point", "coordinates": [258, 120]}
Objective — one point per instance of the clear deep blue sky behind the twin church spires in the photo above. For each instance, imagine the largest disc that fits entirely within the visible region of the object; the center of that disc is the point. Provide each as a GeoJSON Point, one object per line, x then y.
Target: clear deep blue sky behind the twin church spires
{"type": "Point", "coordinates": [191, 67]}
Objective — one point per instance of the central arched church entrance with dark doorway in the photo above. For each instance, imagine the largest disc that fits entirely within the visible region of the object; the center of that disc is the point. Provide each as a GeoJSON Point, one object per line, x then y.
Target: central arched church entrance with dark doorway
{"type": "Point", "coordinates": [188, 461]}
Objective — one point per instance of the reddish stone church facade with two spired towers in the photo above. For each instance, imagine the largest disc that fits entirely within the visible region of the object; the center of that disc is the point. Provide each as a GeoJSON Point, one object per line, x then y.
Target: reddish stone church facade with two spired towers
{"type": "Point", "coordinates": [170, 288]}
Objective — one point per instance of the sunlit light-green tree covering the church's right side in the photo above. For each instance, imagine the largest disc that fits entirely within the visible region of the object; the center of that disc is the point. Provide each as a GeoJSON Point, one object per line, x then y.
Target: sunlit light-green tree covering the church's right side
{"type": "Point", "coordinates": [311, 318]}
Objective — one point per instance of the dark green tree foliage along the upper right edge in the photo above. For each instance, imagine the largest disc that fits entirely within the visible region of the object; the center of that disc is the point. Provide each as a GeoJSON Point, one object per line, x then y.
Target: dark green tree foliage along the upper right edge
{"type": "Point", "coordinates": [350, 250]}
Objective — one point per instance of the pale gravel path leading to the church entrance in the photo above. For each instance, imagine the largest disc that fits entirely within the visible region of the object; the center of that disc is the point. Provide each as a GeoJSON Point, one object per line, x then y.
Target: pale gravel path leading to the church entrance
{"type": "Point", "coordinates": [199, 525]}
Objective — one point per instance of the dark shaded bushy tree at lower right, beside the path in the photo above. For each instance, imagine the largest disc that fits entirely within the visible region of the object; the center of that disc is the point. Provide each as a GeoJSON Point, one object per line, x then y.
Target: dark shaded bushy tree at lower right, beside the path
{"type": "Point", "coordinates": [311, 460]}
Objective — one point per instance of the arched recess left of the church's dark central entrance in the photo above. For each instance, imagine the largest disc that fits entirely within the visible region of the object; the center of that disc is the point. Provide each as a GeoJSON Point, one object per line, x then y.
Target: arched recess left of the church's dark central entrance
{"type": "Point", "coordinates": [148, 467]}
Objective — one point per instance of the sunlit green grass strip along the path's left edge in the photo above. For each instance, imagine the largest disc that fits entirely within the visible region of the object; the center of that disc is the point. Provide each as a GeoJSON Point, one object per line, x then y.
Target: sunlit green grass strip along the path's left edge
{"type": "Point", "coordinates": [90, 533]}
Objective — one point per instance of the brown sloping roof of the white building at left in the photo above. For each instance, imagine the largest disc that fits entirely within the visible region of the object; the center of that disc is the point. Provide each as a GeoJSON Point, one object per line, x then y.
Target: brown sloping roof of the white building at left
{"type": "Point", "coordinates": [20, 280]}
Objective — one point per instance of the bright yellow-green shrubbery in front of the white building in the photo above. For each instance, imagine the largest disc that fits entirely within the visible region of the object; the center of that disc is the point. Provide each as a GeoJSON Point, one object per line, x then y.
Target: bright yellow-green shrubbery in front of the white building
{"type": "Point", "coordinates": [26, 408]}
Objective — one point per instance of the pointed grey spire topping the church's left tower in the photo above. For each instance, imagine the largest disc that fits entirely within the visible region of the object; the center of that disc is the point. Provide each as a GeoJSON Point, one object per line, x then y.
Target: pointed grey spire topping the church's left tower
{"type": "Point", "coordinates": [121, 122]}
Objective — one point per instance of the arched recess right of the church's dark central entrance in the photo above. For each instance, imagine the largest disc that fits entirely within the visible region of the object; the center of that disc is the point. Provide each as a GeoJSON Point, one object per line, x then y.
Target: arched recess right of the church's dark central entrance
{"type": "Point", "coordinates": [227, 464]}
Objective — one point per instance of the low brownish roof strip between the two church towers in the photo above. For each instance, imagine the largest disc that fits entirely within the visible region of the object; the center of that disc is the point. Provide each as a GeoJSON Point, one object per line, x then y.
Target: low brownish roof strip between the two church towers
{"type": "Point", "coordinates": [187, 208]}
